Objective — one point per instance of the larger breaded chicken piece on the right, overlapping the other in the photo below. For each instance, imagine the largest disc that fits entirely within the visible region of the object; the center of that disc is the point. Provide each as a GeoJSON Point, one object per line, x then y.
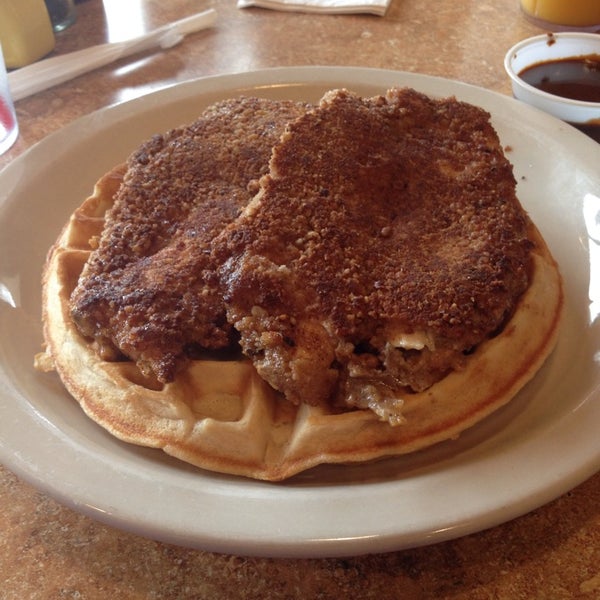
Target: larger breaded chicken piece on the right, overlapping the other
{"type": "Point", "coordinates": [385, 243]}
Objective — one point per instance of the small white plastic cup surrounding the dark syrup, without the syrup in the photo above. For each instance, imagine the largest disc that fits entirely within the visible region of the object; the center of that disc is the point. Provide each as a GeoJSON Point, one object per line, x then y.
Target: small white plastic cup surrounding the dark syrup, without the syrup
{"type": "Point", "coordinates": [547, 47]}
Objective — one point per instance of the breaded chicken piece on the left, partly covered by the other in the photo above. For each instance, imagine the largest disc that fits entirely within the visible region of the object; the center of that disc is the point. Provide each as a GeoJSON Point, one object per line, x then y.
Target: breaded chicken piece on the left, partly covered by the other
{"type": "Point", "coordinates": [149, 291]}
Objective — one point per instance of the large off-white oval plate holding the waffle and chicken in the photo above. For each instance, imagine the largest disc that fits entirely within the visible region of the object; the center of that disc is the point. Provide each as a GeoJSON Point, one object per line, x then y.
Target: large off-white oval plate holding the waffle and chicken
{"type": "Point", "coordinates": [541, 445]}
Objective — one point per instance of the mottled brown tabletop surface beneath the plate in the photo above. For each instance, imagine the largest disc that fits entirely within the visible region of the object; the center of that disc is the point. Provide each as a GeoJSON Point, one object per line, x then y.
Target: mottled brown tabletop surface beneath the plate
{"type": "Point", "coordinates": [49, 551]}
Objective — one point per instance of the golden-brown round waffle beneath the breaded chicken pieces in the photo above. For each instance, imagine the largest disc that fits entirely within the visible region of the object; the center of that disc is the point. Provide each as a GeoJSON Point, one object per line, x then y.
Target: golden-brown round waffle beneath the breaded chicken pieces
{"type": "Point", "coordinates": [219, 415]}
